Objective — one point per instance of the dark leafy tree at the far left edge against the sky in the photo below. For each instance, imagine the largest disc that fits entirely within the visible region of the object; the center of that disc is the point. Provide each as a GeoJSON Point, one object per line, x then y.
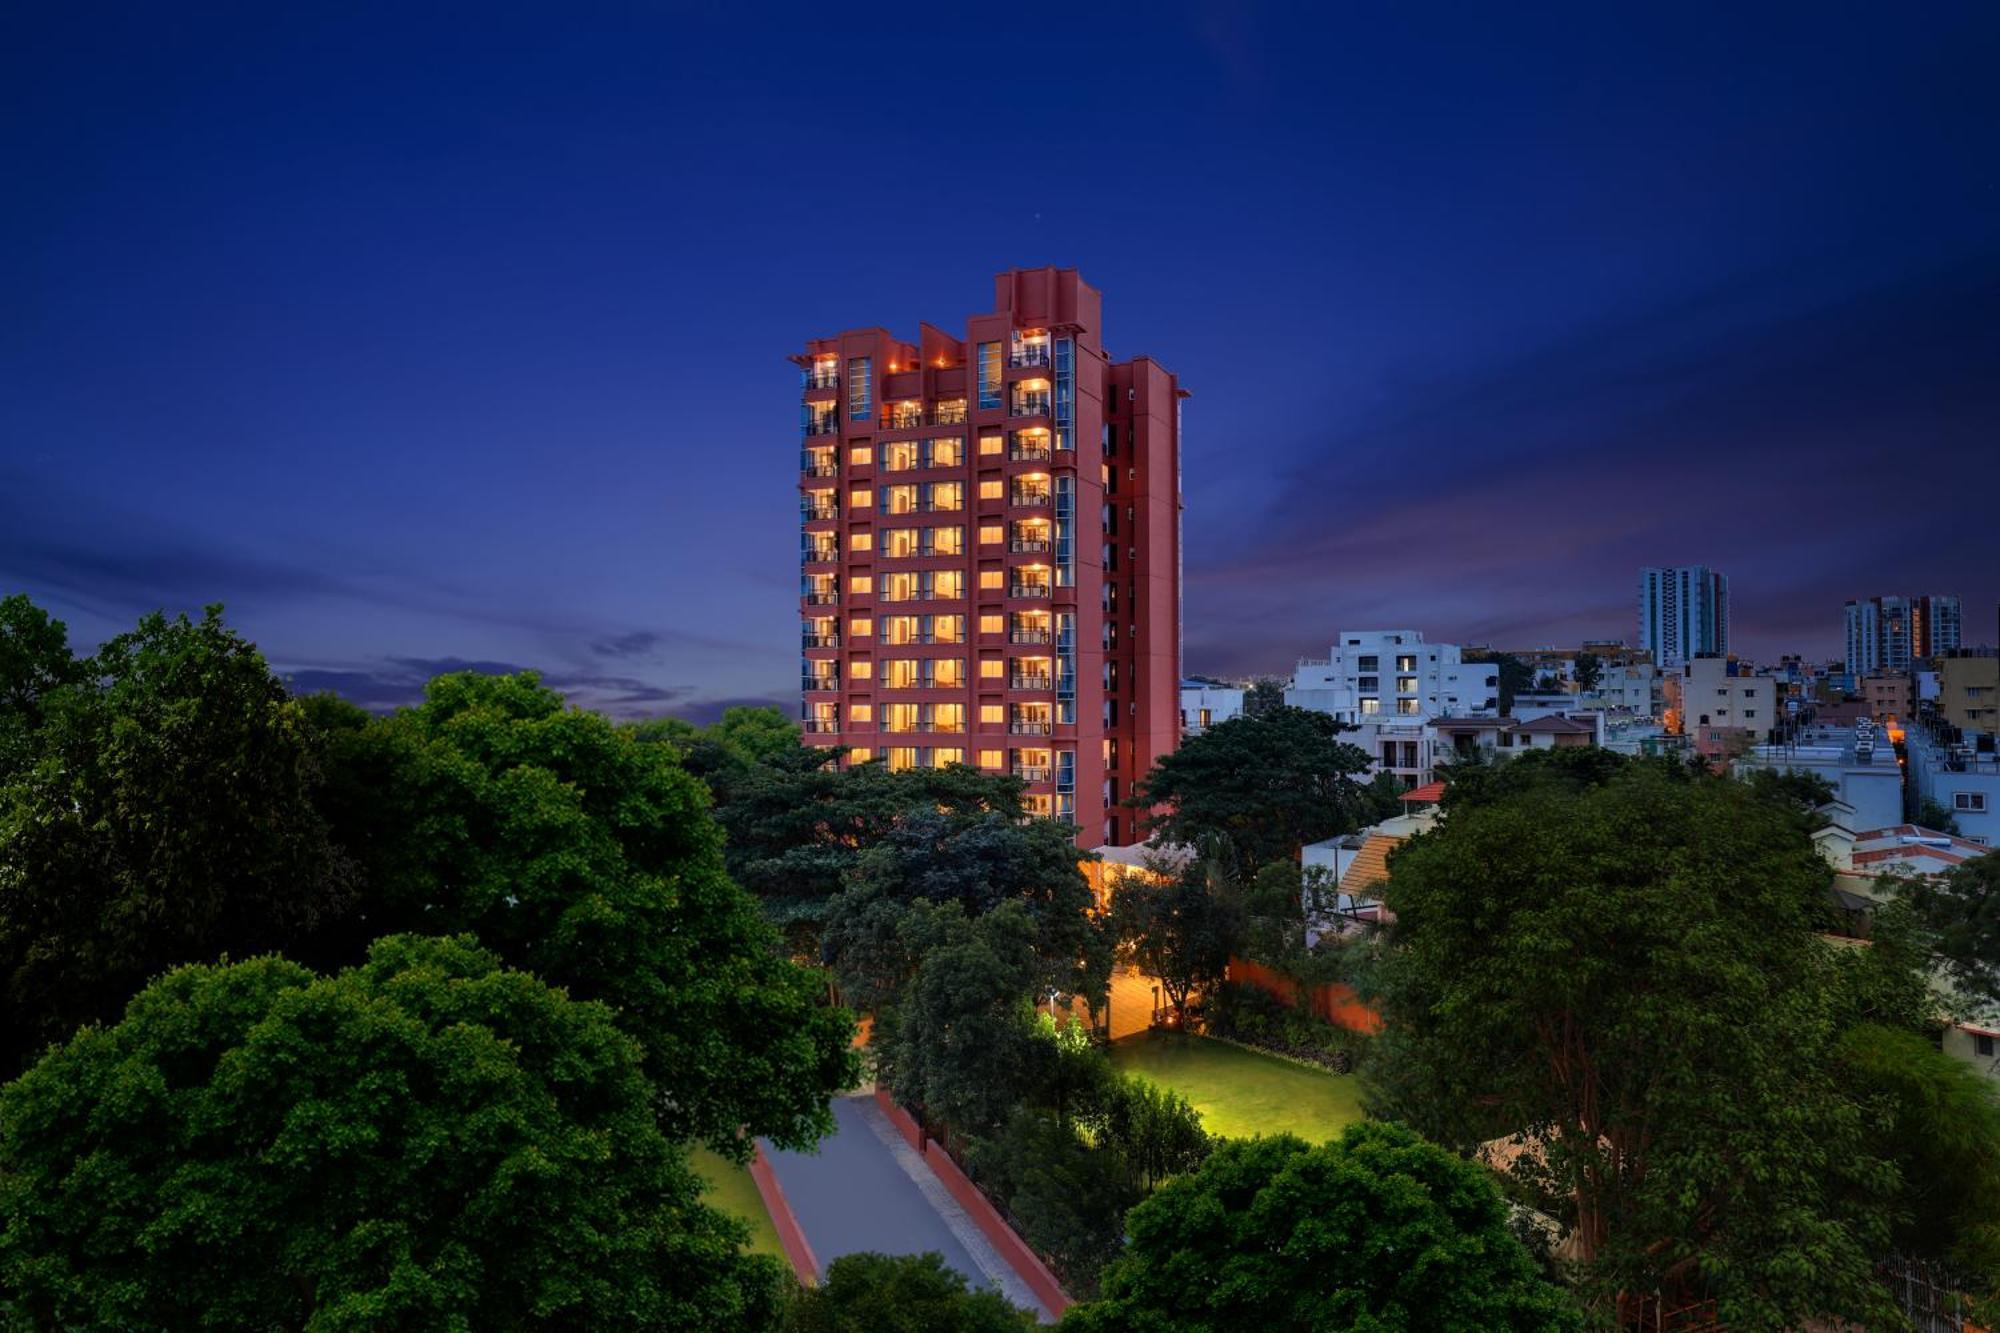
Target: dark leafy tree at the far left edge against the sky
{"type": "Point", "coordinates": [165, 814]}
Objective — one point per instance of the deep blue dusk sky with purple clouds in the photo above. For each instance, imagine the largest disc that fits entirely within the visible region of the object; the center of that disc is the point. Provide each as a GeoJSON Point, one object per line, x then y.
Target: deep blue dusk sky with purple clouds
{"type": "Point", "coordinates": [439, 335]}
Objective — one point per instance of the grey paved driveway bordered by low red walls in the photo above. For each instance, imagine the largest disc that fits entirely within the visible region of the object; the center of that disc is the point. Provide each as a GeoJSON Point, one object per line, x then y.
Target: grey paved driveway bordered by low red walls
{"type": "Point", "coordinates": [867, 1188]}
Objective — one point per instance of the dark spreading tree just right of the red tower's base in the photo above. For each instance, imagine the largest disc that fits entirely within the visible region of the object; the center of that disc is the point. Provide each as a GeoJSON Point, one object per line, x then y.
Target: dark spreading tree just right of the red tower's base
{"type": "Point", "coordinates": [1259, 788]}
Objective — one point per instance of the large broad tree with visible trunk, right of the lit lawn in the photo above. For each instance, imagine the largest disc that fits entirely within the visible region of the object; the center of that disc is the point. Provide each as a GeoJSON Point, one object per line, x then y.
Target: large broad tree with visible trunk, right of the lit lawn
{"type": "Point", "coordinates": [1623, 972]}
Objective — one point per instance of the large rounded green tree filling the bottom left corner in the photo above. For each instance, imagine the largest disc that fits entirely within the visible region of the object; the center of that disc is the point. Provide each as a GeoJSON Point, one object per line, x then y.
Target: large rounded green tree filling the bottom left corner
{"type": "Point", "coordinates": [427, 1142]}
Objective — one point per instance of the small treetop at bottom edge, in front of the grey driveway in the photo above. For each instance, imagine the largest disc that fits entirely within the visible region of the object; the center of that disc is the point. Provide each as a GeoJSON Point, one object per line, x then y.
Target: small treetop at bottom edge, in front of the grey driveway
{"type": "Point", "coordinates": [901, 1294]}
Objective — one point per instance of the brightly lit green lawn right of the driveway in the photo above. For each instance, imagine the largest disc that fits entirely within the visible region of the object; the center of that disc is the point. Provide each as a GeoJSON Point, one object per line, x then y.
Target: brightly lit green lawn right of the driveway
{"type": "Point", "coordinates": [1243, 1094]}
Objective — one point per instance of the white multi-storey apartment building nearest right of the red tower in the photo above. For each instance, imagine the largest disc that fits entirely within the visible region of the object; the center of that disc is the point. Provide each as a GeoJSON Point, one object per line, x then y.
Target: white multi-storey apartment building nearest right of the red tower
{"type": "Point", "coordinates": [1395, 676]}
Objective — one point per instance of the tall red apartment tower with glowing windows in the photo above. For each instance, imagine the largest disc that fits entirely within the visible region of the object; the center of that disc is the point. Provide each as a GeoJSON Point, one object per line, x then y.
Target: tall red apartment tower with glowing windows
{"type": "Point", "coordinates": [991, 551]}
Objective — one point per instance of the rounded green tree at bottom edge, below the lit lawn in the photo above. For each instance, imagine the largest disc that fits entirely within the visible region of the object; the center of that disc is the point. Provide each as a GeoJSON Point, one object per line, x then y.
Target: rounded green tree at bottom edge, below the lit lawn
{"type": "Point", "coordinates": [1373, 1232]}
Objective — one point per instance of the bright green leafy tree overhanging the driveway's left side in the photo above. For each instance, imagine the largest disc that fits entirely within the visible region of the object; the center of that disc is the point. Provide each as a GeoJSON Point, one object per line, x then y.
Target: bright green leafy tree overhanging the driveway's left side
{"type": "Point", "coordinates": [587, 856]}
